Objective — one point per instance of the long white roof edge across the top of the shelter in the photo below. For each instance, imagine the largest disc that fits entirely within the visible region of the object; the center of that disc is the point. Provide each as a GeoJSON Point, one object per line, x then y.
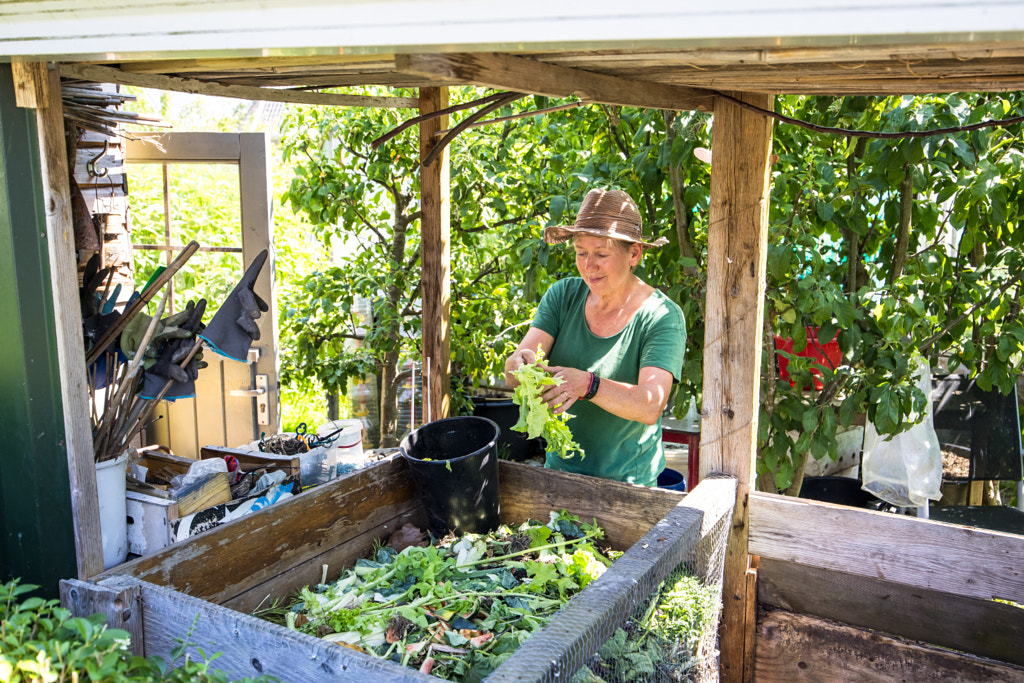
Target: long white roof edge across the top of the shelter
{"type": "Point", "coordinates": [152, 29]}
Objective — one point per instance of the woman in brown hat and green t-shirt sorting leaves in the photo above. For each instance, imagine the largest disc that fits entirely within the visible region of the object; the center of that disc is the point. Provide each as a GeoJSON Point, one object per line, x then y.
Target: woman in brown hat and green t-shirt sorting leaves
{"type": "Point", "coordinates": [616, 341]}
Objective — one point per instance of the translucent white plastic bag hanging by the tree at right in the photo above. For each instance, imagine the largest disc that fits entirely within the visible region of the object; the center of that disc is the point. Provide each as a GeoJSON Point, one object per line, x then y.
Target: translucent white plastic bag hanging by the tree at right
{"type": "Point", "coordinates": [906, 471]}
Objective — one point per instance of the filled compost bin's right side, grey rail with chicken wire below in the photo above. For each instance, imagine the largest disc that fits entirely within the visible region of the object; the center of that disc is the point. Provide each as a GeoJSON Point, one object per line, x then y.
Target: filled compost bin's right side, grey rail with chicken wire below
{"type": "Point", "coordinates": [653, 617]}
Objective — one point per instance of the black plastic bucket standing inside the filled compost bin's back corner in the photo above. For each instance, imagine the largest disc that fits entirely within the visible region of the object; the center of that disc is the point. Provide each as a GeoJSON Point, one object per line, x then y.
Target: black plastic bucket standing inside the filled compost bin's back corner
{"type": "Point", "coordinates": [454, 463]}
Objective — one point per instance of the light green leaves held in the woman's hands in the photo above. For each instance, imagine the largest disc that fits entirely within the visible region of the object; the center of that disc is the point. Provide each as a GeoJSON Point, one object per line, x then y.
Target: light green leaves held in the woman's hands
{"type": "Point", "coordinates": [536, 417]}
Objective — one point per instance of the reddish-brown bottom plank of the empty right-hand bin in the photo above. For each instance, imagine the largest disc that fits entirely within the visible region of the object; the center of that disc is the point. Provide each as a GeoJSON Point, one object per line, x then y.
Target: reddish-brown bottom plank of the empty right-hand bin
{"type": "Point", "coordinates": [794, 649]}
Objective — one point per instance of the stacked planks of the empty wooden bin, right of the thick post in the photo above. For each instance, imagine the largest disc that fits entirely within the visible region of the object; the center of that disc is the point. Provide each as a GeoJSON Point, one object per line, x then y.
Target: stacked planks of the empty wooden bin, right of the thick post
{"type": "Point", "coordinates": [855, 595]}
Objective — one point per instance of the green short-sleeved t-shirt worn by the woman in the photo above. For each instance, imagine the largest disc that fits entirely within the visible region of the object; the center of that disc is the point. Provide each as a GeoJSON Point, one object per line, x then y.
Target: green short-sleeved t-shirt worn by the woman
{"type": "Point", "coordinates": [614, 448]}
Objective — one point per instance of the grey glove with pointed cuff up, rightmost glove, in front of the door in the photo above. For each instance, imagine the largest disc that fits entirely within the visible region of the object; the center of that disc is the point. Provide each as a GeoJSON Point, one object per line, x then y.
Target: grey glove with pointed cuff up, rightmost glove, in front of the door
{"type": "Point", "coordinates": [234, 327]}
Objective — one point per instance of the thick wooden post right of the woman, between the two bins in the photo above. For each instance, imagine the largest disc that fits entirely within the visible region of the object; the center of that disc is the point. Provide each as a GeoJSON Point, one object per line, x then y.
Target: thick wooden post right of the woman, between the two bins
{"type": "Point", "coordinates": [737, 261]}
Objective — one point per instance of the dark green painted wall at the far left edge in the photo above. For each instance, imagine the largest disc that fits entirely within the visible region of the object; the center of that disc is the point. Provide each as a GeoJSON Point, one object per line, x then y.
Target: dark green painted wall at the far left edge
{"type": "Point", "coordinates": [38, 539]}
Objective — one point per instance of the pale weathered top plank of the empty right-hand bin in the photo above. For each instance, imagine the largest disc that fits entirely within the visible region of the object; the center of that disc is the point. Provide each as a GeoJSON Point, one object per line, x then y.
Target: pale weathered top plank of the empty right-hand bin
{"type": "Point", "coordinates": [922, 553]}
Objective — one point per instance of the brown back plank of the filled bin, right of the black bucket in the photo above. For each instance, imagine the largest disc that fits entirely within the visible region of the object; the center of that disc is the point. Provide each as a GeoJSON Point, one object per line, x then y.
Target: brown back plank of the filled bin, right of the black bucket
{"type": "Point", "coordinates": [626, 513]}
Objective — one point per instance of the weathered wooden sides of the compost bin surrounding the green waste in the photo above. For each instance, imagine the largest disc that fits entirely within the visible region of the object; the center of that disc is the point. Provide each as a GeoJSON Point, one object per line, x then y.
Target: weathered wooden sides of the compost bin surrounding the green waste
{"type": "Point", "coordinates": [202, 589]}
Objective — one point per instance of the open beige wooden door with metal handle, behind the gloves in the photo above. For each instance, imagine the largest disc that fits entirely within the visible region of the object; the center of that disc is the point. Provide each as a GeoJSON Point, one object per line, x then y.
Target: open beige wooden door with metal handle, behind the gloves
{"type": "Point", "coordinates": [227, 410]}
